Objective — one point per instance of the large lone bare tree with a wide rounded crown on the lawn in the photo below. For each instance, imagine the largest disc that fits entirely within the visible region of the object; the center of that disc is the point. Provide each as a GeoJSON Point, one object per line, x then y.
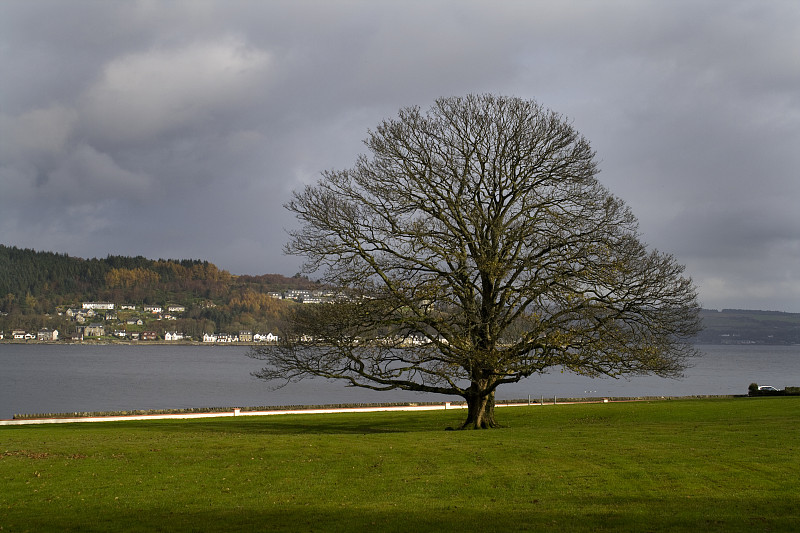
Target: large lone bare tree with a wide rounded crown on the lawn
{"type": "Point", "coordinates": [479, 249]}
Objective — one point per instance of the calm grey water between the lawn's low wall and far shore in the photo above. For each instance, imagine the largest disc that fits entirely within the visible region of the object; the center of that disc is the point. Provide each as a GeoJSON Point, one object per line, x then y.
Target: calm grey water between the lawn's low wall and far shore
{"type": "Point", "coordinates": [52, 378]}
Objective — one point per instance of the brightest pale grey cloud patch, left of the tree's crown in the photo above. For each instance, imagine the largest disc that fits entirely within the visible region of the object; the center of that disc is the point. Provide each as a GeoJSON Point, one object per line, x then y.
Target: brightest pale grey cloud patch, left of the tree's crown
{"type": "Point", "coordinates": [142, 95]}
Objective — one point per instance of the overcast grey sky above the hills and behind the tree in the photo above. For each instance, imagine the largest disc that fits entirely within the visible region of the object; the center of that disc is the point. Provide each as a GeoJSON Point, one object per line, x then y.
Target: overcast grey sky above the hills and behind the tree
{"type": "Point", "coordinates": [179, 129]}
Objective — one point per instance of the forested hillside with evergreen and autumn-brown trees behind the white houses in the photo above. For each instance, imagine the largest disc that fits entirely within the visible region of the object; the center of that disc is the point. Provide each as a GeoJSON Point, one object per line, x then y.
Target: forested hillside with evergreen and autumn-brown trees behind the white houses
{"type": "Point", "coordinates": [34, 283]}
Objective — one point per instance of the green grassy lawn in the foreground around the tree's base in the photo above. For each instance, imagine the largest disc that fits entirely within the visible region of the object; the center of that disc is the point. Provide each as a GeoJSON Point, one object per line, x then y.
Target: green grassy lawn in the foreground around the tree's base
{"type": "Point", "coordinates": [680, 465]}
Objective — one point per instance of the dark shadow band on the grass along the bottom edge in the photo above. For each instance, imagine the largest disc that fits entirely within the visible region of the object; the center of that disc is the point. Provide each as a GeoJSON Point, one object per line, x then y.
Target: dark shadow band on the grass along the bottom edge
{"type": "Point", "coordinates": [605, 514]}
